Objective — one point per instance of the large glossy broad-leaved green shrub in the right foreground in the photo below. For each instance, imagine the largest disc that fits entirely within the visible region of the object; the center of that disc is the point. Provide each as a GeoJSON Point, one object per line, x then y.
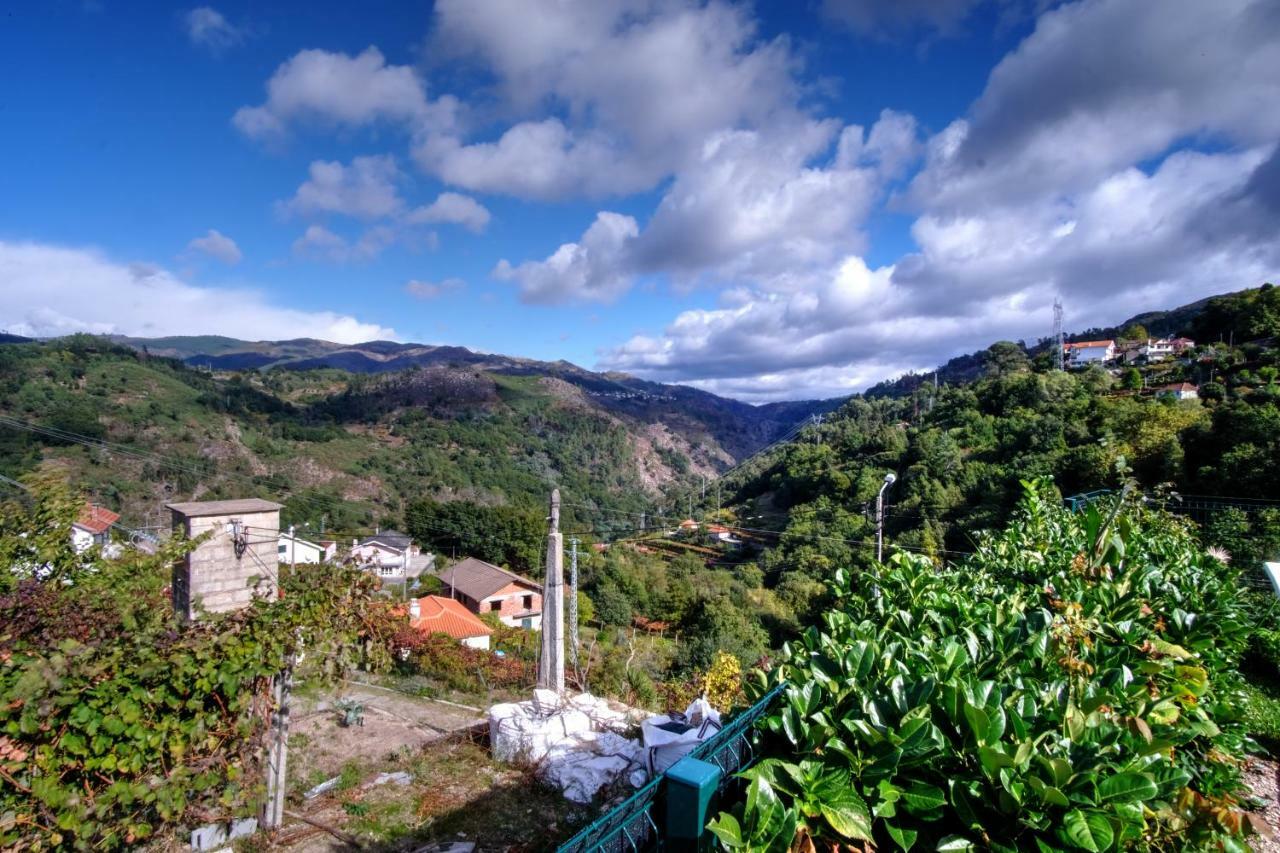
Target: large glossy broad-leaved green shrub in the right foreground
{"type": "Point", "coordinates": [1069, 687]}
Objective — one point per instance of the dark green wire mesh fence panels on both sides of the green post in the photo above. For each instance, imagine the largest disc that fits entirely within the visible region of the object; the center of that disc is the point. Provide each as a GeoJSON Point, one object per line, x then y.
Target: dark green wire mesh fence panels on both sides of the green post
{"type": "Point", "coordinates": [634, 825]}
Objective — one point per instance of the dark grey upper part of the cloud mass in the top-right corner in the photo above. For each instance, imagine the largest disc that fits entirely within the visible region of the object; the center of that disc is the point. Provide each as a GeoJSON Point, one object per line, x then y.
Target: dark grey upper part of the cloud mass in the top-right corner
{"type": "Point", "coordinates": [1104, 85]}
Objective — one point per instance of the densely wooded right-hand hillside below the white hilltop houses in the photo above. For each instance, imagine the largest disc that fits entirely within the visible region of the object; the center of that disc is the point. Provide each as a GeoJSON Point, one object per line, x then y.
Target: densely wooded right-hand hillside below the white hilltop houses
{"type": "Point", "coordinates": [961, 455]}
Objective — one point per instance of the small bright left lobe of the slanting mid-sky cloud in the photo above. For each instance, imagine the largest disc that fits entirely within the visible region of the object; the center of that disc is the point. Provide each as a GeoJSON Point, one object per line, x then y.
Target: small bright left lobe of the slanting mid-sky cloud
{"type": "Point", "coordinates": [589, 270]}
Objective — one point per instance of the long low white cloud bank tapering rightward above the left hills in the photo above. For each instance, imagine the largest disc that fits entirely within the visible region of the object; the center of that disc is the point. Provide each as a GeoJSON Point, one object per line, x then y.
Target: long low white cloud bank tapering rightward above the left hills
{"type": "Point", "coordinates": [53, 290]}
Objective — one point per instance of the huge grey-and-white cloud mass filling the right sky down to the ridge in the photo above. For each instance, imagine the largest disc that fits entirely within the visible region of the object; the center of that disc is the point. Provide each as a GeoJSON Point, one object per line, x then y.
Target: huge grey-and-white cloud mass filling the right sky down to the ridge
{"type": "Point", "coordinates": [1122, 158]}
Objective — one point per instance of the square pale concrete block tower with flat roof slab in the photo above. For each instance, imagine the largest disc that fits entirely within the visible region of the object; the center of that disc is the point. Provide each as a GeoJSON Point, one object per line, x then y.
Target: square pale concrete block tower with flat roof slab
{"type": "Point", "coordinates": [240, 560]}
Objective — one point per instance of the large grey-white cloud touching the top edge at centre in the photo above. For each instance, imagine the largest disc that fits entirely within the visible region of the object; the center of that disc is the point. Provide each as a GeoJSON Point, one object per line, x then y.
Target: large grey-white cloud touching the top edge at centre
{"type": "Point", "coordinates": [644, 84]}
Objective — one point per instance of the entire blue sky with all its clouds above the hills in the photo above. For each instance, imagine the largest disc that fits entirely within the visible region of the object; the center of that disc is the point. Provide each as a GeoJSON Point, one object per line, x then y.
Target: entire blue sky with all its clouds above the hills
{"type": "Point", "coordinates": [770, 202]}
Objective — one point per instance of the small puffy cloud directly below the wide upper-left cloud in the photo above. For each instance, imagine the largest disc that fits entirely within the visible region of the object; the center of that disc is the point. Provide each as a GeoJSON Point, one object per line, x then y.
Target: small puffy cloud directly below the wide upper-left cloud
{"type": "Point", "coordinates": [365, 190]}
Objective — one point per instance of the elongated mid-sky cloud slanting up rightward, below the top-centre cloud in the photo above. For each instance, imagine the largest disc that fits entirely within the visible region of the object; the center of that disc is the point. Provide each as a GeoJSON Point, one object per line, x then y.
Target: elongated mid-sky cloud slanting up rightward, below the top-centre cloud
{"type": "Point", "coordinates": [764, 208]}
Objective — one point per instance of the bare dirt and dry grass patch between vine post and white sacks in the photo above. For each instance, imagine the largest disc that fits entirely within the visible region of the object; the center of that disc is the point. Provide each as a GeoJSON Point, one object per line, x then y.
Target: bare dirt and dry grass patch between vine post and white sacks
{"type": "Point", "coordinates": [454, 791]}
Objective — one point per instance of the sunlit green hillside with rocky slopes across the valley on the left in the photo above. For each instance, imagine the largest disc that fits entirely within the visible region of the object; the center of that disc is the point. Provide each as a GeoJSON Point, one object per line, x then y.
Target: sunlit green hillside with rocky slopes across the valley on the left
{"type": "Point", "coordinates": [349, 451]}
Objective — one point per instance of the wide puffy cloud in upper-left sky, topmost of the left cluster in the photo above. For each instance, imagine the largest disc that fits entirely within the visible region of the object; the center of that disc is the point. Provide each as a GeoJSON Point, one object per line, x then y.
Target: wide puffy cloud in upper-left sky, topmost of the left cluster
{"type": "Point", "coordinates": [339, 90]}
